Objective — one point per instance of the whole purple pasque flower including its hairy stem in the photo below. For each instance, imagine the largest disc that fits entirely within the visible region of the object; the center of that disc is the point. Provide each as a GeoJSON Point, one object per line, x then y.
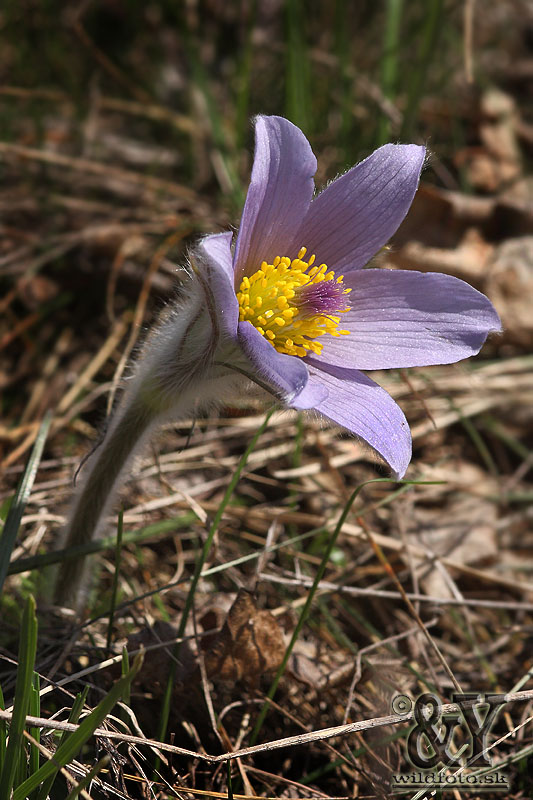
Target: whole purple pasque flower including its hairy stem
{"type": "Point", "coordinates": [291, 308]}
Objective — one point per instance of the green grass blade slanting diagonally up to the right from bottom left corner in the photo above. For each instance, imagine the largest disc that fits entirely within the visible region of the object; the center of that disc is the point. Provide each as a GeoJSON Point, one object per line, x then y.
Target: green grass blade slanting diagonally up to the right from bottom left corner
{"type": "Point", "coordinates": [71, 747]}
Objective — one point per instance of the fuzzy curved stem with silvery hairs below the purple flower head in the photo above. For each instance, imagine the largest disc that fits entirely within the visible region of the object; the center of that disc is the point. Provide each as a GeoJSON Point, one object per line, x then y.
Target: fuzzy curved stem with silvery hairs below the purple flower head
{"type": "Point", "coordinates": [174, 375]}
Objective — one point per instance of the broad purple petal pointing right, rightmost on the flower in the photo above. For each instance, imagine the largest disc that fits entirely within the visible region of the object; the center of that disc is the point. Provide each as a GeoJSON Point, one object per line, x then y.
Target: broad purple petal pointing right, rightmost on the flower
{"type": "Point", "coordinates": [400, 318]}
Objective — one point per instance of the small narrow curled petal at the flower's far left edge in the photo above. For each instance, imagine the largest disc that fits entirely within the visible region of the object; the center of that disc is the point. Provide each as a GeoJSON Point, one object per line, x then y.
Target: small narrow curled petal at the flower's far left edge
{"type": "Point", "coordinates": [216, 277]}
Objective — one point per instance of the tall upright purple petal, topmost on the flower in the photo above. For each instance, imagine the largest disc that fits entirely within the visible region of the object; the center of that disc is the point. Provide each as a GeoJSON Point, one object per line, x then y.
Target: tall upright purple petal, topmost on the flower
{"type": "Point", "coordinates": [279, 194]}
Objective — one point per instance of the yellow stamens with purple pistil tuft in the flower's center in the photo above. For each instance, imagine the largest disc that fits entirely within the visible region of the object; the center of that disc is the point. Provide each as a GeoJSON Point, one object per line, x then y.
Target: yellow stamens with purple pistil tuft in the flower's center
{"type": "Point", "coordinates": [292, 303]}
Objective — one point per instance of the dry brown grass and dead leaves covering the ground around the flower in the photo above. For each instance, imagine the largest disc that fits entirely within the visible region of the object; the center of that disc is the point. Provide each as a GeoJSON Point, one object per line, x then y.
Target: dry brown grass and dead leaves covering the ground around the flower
{"type": "Point", "coordinates": [429, 587]}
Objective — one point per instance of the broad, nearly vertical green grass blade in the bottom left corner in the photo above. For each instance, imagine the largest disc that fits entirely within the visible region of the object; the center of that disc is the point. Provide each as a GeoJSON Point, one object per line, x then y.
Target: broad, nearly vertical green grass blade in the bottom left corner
{"type": "Point", "coordinates": [23, 688]}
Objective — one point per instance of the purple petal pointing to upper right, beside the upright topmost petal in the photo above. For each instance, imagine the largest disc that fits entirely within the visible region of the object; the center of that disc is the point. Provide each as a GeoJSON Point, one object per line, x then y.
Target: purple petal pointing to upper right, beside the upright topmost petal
{"type": "Point", "coordinates": [356, 215]}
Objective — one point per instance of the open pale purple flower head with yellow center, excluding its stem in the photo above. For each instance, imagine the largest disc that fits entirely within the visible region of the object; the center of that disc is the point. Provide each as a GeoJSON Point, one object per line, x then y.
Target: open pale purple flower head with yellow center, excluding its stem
{"type": "Point", "coordinates": [294, 302]}
